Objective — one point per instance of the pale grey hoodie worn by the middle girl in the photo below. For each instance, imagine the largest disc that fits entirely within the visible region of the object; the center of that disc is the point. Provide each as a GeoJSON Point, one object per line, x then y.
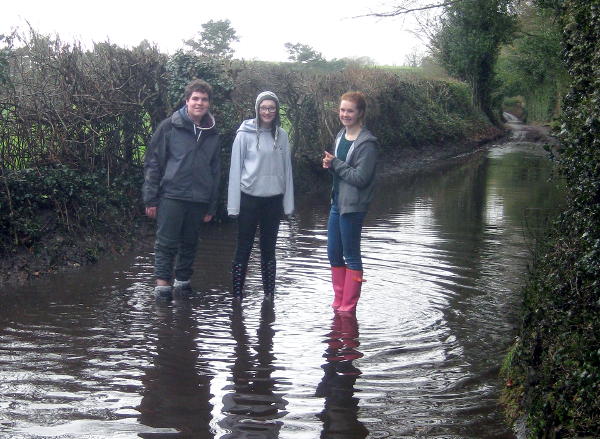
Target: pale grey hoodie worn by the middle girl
{"type": "Point", "coordinates": [260, 166]}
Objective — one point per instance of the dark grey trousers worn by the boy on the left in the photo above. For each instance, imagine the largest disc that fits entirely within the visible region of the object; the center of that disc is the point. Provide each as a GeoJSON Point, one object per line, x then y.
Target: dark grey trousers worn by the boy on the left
{"type": "Point", "coordinates": [178, 225]}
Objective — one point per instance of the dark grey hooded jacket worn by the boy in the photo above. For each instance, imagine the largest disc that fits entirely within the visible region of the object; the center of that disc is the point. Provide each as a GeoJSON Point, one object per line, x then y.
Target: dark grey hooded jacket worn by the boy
{"type": "Point", "coordinates": [183, 162]}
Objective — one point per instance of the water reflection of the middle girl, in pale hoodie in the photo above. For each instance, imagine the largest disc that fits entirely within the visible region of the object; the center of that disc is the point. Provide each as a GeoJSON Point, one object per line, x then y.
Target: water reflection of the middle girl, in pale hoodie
{"type": "Point", "coordinates": [252, 407]}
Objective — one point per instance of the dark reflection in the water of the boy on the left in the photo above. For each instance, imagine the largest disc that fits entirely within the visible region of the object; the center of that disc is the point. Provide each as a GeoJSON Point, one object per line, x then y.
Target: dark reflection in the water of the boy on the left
{"type": "Point", "coordinates": [177, 392]}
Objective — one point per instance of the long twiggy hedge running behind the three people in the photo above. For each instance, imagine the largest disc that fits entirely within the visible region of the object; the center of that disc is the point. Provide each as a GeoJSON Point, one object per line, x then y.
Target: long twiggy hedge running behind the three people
{"type": "Point", "coordinates": [75, 124]}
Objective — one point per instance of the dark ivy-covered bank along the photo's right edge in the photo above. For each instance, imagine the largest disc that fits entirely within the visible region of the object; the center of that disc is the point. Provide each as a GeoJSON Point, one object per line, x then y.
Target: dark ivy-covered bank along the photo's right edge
{"type": "Point", "coordinates": [553, 369]}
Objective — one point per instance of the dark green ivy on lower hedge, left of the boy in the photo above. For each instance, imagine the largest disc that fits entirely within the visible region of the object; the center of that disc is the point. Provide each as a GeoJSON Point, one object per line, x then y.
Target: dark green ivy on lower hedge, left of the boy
{"type": "Point", "coordinates": [56, 199]}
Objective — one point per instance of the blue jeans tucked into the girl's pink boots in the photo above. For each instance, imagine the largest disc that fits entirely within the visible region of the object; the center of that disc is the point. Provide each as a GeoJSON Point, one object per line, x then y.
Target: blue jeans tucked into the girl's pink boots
{"type": "Point", "coordinates": [343, 238]}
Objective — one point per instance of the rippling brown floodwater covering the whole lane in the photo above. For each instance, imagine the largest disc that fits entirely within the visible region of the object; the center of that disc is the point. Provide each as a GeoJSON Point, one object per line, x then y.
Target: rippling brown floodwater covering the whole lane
{"type": "Point", "coordinates": [89, 354]}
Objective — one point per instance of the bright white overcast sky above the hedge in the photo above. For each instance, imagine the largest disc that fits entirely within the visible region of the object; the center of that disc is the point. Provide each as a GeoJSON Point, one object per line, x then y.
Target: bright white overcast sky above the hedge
{"type": "Point", "coordinates": [262, 26]}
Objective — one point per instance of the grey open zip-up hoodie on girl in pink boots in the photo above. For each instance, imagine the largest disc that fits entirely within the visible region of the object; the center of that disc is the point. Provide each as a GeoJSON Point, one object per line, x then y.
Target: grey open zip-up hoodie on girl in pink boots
{"type": "Point", "coordinates": [357, 173]}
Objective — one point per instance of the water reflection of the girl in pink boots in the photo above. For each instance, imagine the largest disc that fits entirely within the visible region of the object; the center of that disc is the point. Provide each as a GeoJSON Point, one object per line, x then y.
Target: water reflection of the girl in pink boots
{"type": "Point", "coordinates": [340, 415]}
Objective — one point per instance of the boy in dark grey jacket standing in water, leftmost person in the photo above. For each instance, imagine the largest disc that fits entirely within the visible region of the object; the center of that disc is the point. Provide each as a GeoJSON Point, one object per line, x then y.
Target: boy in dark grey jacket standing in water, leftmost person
{"type": "Point", "coordinates": [181, 186]}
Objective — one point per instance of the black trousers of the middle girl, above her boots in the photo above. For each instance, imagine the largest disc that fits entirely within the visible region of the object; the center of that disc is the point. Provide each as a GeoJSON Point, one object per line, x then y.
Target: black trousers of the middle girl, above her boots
{"type": "Point", "coordinates": [262, 212]}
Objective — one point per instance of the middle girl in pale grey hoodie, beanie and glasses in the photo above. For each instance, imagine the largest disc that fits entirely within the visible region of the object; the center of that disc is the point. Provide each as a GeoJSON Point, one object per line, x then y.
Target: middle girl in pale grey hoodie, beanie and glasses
{"type": "Point", "coordinates": [261, 189]}
